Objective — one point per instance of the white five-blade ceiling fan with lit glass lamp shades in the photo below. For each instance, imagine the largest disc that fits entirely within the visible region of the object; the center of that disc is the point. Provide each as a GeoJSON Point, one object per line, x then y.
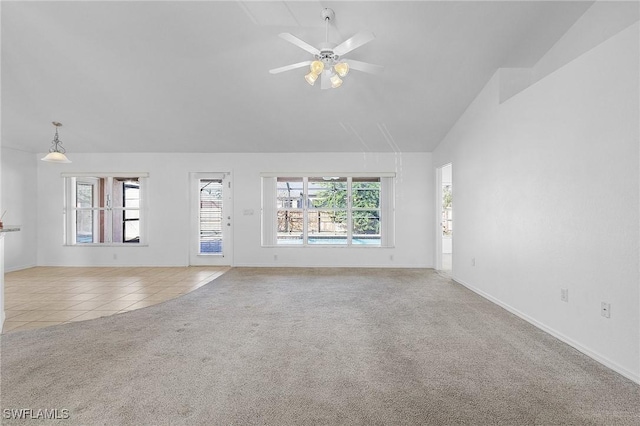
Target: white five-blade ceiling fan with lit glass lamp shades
{"type": "Point", "coordinates": [328, 62]}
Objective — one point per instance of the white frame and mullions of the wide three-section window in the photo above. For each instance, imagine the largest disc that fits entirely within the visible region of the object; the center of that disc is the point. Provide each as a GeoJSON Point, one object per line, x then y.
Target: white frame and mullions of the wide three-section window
{"type": "Point", "coordinates": [270, 210]}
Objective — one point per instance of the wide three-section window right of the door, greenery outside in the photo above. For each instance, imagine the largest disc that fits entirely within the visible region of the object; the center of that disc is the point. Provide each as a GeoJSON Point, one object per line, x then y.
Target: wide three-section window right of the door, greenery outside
{"type": "Point", "coordinates": [328, 211]}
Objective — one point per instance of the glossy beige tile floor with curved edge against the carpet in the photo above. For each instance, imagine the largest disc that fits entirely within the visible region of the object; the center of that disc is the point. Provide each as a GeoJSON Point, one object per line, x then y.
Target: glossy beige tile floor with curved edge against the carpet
{"type": "Point", "coordinates": [44, 296]}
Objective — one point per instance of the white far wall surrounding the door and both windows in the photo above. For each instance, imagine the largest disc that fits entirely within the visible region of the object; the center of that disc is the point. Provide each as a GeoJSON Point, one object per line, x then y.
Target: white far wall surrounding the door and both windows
{"type": "Point", "coordinates": [168, 224]}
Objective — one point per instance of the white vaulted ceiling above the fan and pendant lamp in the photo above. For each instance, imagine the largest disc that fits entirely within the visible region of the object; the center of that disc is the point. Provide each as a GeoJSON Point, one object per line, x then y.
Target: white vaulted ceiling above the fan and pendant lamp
{"type": "Point", "coordinates": [193, 76]}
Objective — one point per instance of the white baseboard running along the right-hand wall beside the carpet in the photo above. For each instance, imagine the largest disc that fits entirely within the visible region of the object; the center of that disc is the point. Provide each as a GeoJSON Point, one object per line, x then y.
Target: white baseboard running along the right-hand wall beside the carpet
{"type": "Point", "coordinates": [590, 353]}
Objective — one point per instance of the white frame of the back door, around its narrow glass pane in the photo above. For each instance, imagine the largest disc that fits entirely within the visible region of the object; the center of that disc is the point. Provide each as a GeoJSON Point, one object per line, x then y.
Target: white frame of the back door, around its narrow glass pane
{"type": "Point", "coordinates": [194, 256]}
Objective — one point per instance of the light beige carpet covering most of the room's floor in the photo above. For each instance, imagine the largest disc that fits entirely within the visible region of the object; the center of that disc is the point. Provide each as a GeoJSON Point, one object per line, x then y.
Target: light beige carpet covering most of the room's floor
{"type": "Point", "coordinates": [312, 346]}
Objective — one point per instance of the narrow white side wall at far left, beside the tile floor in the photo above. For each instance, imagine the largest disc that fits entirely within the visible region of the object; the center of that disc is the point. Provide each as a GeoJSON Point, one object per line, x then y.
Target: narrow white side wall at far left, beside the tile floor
{"type": "Point", "coordinates": [19, 199]}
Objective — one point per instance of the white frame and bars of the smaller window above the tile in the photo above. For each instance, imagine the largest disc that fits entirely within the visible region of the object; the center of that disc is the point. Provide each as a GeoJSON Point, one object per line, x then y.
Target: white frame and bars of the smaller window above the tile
{"type": "Point", "coordinates": [70, 207]}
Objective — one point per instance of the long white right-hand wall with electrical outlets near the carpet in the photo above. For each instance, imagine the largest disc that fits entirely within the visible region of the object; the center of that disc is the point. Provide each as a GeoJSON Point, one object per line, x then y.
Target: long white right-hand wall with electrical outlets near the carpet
{"type": "Point", "coordinates": [547, 197]}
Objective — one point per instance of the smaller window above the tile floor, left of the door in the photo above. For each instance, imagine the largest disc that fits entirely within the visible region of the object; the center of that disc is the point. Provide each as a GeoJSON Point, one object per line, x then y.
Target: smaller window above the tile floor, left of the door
{"type": "Point", "coordinates": [104, 209]}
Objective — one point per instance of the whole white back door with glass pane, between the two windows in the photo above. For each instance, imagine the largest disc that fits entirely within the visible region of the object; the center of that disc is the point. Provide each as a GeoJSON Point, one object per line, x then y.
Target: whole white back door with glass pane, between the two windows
{"type": "Point", "coordinates": [210, 242]}
